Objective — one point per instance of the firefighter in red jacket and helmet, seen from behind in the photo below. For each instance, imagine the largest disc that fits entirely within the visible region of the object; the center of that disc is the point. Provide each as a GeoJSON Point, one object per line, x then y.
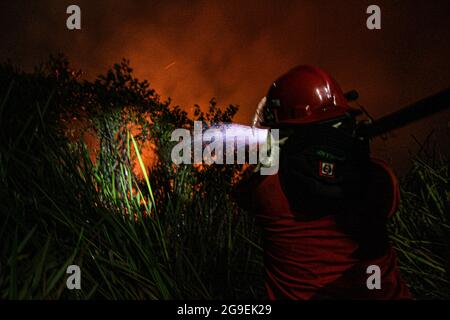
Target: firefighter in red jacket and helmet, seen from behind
{"type": "Point", "coordinates": [323, 215]}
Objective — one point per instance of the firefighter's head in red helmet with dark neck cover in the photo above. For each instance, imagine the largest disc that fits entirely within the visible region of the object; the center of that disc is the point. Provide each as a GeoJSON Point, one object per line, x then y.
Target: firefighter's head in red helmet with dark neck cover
{"type": "Point", "coordinates": [322, 161]}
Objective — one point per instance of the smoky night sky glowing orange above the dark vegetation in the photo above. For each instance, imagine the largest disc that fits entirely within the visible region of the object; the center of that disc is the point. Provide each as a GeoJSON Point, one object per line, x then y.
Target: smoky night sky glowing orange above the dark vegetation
{"type": "Point", "coordinates": [232, 50]}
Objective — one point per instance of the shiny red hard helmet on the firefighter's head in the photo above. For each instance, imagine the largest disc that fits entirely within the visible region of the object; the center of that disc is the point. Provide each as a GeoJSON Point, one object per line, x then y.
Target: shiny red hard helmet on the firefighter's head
{"type": "Point", "coordinates": [304, 95]}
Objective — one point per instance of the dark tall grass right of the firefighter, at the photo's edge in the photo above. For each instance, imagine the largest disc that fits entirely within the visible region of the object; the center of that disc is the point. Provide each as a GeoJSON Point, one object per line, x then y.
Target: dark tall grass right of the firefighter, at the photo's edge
{"type": "Point", "coordinates": [420, 231]}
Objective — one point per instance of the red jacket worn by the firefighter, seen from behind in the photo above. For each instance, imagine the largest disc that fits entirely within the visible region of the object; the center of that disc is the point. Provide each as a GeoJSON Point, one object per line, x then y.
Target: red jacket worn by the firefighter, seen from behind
{"type": "Point", "coordinates": [315, 259]}
